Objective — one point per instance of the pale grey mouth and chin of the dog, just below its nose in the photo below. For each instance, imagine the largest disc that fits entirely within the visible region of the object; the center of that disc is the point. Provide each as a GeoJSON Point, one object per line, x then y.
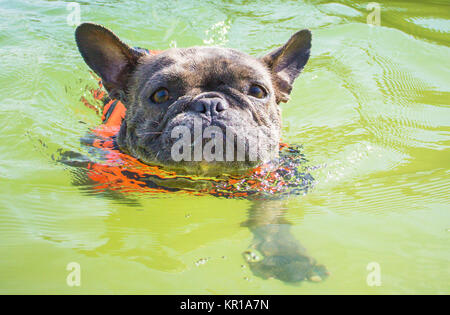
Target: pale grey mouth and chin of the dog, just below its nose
{"type": "Point", "coordinates": [194, 144]}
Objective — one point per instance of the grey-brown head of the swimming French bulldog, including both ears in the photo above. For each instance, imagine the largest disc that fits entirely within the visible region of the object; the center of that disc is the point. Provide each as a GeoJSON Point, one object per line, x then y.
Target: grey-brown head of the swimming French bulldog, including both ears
{"type": "Point", "coordinates": [196, 108]}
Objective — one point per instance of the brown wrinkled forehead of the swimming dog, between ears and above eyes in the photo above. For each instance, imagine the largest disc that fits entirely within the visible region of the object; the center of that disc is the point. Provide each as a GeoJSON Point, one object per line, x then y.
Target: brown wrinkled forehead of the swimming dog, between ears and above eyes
{"type": "Point", "coordinates": [202, 66]}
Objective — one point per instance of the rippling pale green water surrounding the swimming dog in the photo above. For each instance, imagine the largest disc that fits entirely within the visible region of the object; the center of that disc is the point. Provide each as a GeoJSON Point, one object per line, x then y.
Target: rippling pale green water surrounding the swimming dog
{"type": "Point", "coordinates": [371, 110]}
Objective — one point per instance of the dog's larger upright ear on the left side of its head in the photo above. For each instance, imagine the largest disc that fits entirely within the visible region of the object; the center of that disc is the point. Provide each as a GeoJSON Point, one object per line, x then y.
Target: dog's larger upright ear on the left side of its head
{"type": "Point", "coordinates": [108, 56]}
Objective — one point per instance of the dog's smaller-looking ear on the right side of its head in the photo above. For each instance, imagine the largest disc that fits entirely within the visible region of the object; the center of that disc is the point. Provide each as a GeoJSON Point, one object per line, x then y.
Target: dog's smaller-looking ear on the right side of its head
{"type": "Point", "coordinates": [287, 61]}
